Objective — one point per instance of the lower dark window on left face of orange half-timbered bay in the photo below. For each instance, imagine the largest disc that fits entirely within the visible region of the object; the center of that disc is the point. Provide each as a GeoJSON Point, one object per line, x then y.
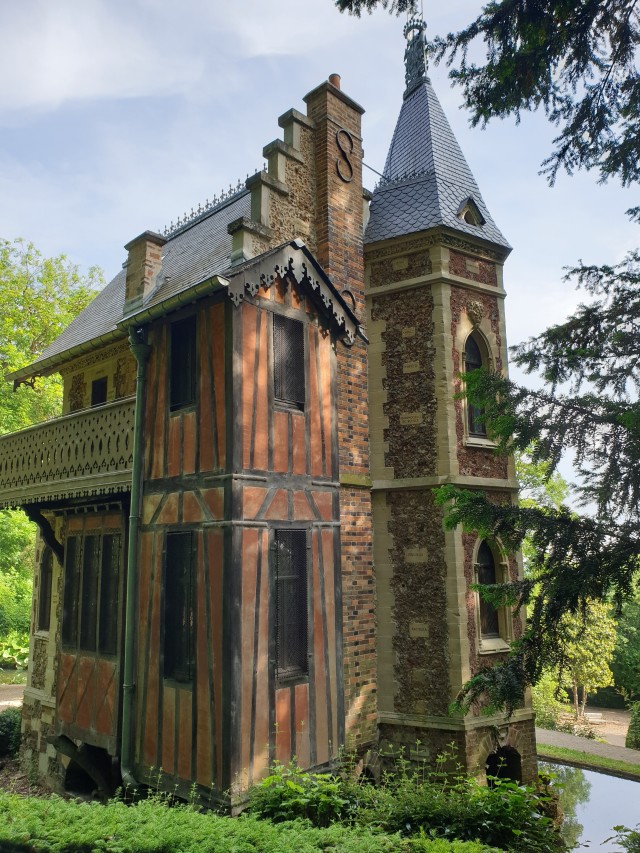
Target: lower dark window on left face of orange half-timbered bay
{"type": "Point", "coordinates": [179, 607]}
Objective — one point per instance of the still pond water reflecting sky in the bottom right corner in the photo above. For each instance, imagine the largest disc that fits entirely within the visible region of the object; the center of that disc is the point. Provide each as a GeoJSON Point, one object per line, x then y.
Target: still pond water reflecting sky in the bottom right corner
{"type": "Point", "coordinates": [593, 803]}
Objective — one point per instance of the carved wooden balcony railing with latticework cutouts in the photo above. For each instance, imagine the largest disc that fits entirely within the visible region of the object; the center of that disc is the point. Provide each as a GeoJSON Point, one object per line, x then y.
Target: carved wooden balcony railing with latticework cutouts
{"type": "Point", "coordinates": [83, 454]}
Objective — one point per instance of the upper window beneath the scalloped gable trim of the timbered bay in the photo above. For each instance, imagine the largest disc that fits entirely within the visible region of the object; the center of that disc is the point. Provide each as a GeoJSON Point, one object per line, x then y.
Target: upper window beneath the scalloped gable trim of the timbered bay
{"type": "Point", "coordinates": [288, 361]}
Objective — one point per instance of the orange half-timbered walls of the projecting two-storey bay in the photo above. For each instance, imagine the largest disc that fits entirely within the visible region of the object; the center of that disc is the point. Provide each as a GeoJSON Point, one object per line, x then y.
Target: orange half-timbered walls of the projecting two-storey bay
{"type": "Point", "coordinates": [233, 468]}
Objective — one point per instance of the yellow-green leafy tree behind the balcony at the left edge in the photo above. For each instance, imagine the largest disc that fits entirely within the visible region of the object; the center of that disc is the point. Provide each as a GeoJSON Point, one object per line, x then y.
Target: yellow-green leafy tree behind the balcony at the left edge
{"type": "Point", "coordinates": [39, 297]}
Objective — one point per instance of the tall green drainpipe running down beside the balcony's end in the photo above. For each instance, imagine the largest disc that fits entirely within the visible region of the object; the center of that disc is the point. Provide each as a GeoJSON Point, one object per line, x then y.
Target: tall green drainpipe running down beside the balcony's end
{"type": "Point", "coordinates": [140, 350]}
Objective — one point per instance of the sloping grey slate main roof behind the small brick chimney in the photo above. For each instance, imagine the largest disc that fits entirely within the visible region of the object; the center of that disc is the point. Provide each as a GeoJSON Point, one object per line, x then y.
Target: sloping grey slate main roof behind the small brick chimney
{"type": "Point", "coordinates": [195, 253]}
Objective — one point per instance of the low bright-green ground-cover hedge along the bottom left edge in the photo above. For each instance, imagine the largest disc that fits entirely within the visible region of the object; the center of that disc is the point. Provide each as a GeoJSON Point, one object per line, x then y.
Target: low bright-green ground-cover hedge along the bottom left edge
{"type": "Point", "coordinates": [60, 826]}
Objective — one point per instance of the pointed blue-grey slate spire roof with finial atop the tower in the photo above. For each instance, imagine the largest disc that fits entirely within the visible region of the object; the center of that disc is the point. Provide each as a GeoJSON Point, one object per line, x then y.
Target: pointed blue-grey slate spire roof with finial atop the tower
{"type": "Point", "coordinates": [427, 181]}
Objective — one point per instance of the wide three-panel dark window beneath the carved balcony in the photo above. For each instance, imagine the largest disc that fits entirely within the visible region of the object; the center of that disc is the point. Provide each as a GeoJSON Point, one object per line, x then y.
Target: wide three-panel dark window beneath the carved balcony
{"type": "Point", "coordinates": [91, 593]}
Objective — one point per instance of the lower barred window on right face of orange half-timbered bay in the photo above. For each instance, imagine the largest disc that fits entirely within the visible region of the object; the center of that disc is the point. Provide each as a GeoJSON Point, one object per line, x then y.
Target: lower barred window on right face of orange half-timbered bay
{"type": "Point", "coordinates": [291, 603]}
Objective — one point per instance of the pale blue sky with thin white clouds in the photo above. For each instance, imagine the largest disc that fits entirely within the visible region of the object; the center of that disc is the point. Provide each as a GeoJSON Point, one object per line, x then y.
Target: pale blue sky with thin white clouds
{"type": "Point", "coordinates": [117, 116]}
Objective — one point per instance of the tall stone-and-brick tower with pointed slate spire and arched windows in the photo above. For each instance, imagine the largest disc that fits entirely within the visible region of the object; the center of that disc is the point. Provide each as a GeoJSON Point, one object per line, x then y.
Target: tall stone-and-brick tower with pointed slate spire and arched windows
{"type": "Point", "coordinates": [435, 302]}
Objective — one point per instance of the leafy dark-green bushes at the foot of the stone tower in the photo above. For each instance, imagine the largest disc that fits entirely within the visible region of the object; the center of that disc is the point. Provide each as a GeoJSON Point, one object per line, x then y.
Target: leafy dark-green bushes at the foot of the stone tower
{"type": "Point", "coordinates": [424, 806]}
